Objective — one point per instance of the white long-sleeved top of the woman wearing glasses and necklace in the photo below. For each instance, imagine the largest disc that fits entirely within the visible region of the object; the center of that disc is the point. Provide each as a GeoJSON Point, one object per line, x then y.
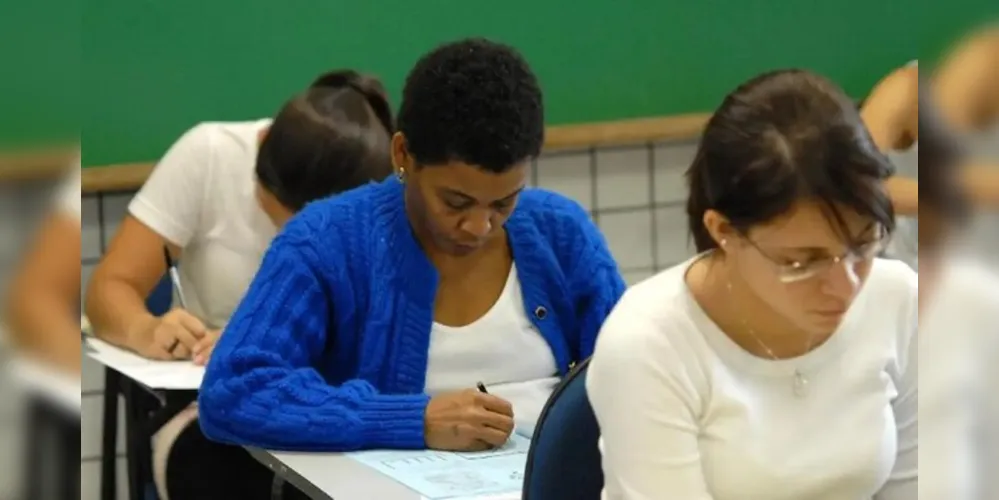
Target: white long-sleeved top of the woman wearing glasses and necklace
{"type": "Point", "coordinates": [687, 414]}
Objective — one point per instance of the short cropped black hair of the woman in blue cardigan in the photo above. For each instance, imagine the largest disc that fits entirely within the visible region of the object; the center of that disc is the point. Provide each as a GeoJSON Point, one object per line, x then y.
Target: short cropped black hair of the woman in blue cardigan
{"type": "Point", "coordinates": [473, 101]}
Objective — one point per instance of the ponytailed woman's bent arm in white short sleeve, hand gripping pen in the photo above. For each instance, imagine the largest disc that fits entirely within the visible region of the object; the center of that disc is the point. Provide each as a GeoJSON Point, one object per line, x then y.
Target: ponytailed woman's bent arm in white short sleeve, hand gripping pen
{"type": "Point", "coordinates": [165, 213]}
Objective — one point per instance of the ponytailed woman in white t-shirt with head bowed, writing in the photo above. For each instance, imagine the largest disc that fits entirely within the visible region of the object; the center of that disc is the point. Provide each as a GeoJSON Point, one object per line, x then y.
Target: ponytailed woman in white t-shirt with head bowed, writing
{"type": "Point", "coordinates": [216, 200]}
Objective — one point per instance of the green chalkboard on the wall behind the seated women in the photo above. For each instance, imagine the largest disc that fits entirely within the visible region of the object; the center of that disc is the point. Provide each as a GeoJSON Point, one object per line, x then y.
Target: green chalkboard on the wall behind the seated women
{"type": "Point", "coordinates": [155, 67]}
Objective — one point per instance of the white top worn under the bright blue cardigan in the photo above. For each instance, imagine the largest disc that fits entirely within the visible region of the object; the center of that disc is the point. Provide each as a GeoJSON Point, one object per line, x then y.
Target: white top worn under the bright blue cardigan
{"type": "Point", "coordinates": [503, 350]}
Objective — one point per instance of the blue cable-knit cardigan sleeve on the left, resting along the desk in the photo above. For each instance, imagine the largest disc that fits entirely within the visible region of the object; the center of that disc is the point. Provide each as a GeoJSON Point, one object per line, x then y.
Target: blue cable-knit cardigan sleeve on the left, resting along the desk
{"type": "Point", "coordinates": [261, 388]}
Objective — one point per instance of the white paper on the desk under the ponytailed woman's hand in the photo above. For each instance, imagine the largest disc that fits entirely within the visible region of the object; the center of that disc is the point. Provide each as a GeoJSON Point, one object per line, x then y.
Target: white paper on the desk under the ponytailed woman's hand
{"type": "Point", "coordinates": [166, 375]}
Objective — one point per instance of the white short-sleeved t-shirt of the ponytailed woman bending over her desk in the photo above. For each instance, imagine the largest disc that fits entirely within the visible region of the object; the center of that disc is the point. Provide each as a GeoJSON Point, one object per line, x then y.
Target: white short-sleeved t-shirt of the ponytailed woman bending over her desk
{"type": "Point", "coordinates": [201, 197]}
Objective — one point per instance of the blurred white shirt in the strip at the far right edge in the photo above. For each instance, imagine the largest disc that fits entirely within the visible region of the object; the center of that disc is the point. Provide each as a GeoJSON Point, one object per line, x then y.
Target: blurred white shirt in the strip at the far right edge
{"type": "Point", "coordinates": [959, 408]}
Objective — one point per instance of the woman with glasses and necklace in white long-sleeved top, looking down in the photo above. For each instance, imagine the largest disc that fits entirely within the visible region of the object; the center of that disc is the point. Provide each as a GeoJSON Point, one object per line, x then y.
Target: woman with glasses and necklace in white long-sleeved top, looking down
{"type": "Point", "coordinates": [781, 362]}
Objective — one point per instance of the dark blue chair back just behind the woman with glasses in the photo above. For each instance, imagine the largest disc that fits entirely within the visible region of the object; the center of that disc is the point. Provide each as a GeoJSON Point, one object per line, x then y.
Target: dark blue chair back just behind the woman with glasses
{"type": "Point", "coordinates": [563, 462]}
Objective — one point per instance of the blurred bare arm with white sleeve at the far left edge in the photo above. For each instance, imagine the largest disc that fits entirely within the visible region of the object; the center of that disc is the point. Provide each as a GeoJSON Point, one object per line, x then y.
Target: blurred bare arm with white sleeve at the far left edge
{"type": "Point", "coordinates": [42, 311]}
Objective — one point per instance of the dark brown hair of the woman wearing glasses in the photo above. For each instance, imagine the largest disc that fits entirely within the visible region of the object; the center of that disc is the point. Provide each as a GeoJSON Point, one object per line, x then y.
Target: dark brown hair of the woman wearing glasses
{"type": "Point", "coordinates": [781, 137]}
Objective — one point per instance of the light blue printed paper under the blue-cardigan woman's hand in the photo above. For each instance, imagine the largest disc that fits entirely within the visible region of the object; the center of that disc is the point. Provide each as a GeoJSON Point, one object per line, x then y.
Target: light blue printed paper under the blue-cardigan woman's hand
{"type": "Point", "coordinates": [441, 475]}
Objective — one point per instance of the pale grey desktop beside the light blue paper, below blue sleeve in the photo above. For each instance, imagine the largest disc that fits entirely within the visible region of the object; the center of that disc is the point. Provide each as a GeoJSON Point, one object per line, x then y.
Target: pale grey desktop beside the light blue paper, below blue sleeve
{"type": "Point", "coordinates": [332, 476]}
